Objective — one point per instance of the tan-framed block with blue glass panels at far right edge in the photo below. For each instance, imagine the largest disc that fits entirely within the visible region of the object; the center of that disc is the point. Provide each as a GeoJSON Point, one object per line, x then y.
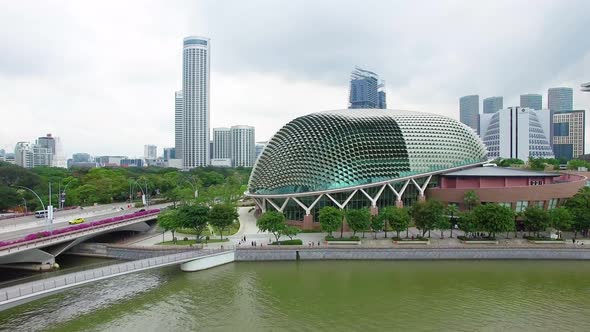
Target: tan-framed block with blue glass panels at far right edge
{"type": "Point", "coordinates": [569, 134]}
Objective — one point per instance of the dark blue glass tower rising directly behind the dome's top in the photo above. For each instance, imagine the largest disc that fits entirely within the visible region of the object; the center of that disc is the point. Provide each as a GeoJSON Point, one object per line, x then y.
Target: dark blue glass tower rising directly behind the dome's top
{"type": "Point", "coordinates": [365, 90]}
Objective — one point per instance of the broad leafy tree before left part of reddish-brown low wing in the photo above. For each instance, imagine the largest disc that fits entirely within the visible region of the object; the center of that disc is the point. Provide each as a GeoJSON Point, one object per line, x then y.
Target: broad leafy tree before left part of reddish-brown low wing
{"type": "Point", "coordinates": [494, 218]}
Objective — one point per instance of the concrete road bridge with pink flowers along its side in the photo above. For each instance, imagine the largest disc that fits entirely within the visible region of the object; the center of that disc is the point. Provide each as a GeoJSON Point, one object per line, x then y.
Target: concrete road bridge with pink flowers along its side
{"type": "Point", "coordinates": [38, 249]}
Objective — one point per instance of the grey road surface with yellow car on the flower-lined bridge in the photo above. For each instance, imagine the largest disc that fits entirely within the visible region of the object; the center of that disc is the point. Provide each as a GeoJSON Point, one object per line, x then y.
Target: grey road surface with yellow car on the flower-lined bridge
{"type": "Point", "coordinates": [20, 230]}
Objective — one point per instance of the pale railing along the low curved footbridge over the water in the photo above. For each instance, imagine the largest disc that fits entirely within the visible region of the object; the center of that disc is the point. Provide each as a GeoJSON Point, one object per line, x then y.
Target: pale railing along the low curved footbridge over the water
{"type": "Point", "coordinates": [12, 293]}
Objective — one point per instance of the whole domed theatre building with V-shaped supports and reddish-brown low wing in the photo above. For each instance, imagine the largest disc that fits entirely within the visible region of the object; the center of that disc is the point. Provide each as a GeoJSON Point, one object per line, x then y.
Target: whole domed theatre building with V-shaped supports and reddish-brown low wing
{"type": "Point", "coordinates": [373, 158]}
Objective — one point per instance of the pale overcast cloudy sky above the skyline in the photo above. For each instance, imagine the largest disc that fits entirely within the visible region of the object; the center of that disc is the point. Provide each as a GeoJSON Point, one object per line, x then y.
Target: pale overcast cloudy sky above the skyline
{"type": "Point", "coordinates": [101, 75]}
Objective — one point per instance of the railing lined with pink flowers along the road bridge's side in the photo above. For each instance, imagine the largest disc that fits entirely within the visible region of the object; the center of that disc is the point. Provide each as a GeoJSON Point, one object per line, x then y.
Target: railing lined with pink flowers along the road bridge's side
{"type": "Point", "coordinates": [61, 233]}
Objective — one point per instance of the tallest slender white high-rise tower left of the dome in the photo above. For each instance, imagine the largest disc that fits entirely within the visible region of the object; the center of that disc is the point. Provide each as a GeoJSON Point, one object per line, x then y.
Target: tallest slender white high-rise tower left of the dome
{"type": "Point", "coordinates": [195, 102]}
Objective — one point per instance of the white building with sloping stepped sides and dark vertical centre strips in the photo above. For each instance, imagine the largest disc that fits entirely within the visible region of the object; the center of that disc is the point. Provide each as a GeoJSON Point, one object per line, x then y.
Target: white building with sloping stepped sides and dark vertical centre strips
{"type": "Point", "coordinates": [517, 132]}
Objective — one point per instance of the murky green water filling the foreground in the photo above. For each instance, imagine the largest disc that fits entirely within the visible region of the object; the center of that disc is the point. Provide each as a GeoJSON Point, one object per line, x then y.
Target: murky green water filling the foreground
{"type": "Point", "coordinates": [325, 296]}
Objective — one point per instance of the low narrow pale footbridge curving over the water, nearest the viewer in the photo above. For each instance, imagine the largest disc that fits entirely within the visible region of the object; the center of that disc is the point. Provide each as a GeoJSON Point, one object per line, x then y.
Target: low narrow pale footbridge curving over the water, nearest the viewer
{"type": "Point", "coordinates": [19, 294]}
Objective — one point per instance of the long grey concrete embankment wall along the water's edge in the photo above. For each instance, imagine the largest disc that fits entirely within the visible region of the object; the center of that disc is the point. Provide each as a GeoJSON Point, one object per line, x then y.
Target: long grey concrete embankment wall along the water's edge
{"type": "Point", "coordinates": [304, 253]}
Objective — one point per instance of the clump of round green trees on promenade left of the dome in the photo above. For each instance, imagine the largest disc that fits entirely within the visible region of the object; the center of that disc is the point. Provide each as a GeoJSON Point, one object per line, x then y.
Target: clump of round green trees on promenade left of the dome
{"type": "Point", "coordinates": [197, 218]}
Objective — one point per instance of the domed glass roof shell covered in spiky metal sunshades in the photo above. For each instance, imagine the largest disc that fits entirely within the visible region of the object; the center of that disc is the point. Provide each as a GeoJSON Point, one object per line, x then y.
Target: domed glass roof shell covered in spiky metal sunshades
{"type": "Point", "coordinates": [346, 148]}
